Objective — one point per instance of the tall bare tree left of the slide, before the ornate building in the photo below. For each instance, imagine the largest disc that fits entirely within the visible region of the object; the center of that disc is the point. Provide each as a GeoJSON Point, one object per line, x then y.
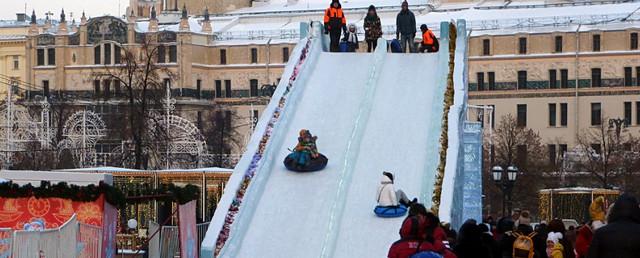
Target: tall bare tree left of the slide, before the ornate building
{"type": "Point", "coordinates": [140, 78]}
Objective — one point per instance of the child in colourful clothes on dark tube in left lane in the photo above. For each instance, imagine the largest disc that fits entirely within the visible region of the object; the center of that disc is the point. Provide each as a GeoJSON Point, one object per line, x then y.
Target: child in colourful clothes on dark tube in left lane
{"type": "Point", "coordinates": [305, 156]}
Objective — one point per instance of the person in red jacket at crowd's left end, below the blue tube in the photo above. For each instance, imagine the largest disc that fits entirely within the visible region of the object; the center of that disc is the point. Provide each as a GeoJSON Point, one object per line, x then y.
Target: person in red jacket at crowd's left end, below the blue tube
{"type": "Point", "coordinates": [411, 241]}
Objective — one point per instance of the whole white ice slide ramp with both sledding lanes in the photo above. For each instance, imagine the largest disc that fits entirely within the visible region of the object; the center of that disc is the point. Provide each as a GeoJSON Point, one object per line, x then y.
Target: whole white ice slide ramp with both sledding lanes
{"type": "Point", "coordinates": [371, 112]}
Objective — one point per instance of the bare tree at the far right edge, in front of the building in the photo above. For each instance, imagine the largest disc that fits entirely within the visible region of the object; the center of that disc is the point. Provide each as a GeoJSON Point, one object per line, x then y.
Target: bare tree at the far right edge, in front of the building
{"type": "Point", "coordinates": [608, 151]}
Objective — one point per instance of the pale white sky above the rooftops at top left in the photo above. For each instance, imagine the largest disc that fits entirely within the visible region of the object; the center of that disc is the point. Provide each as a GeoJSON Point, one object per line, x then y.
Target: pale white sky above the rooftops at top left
{"type": "Point", "coordinates": [92, 8]}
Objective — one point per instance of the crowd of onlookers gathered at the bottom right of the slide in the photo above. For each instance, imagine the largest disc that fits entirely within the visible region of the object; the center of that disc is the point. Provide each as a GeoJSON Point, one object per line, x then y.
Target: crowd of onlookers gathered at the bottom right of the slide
{"type": "Point", "coordinates": [613, 231]}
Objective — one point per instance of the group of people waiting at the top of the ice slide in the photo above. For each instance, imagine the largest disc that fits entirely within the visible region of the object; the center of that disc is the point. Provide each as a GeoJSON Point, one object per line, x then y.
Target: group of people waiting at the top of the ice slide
{"type": "Point", "coordinates": [335, 25]}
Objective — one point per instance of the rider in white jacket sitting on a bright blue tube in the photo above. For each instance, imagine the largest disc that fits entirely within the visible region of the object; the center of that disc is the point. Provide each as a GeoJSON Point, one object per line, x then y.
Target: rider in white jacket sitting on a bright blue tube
{"type": "Point", "coordinates": [391, 203]}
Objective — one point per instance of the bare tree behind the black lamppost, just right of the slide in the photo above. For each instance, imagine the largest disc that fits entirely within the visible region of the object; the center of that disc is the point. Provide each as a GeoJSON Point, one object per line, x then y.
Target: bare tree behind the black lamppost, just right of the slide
{"type": "Point", "coordinates": [521, 147]}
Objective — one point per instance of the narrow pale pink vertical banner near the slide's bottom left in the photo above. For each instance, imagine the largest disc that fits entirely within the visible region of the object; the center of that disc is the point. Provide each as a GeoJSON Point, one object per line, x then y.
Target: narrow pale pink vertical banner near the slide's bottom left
{"type": "Point", "coordinates": [187, 230]}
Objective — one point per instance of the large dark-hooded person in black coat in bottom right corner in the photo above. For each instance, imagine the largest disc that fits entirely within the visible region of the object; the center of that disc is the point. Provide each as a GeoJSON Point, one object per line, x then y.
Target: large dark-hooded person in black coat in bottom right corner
{"type": "Point", "coordinates": [620, 238]}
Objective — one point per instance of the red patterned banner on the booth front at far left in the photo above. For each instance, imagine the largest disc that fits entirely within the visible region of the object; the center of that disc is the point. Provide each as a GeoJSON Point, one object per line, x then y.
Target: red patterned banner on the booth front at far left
{"type": "Point", "coordinates": [17, 212]}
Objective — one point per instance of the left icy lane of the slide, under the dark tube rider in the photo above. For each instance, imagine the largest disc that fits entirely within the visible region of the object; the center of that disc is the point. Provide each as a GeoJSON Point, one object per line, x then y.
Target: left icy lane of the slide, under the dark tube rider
{"type": "Point", "coordinates": [294, 203]}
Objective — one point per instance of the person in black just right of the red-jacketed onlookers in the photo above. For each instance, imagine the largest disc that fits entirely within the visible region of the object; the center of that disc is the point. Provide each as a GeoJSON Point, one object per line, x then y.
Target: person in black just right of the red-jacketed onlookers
{"type": "Point", "coordinates": [470, 243]}
